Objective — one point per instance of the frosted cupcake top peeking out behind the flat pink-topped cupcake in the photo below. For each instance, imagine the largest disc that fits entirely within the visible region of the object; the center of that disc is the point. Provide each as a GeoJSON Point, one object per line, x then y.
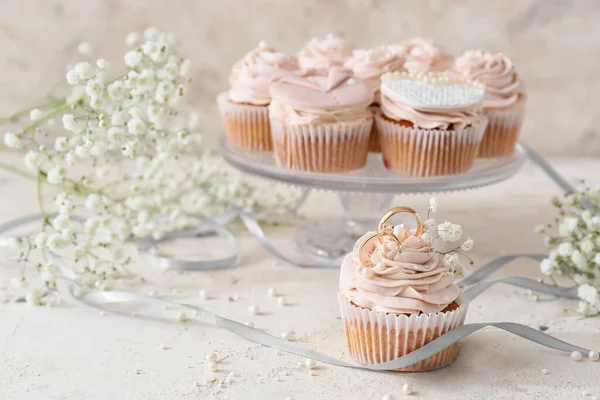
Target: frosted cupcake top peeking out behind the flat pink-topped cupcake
{"type": "Point", "coordinates": [319, 56]}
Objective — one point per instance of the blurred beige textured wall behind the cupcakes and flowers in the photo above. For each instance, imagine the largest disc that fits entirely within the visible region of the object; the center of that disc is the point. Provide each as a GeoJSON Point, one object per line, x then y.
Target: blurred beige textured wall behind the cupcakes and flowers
{"type": "Point", "coordinates": [554, 43]}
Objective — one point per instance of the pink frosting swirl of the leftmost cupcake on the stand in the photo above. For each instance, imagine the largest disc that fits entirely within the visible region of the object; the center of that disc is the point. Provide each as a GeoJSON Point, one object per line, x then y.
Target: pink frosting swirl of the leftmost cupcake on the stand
{"type": "Point", "coordinates": [250, 77]}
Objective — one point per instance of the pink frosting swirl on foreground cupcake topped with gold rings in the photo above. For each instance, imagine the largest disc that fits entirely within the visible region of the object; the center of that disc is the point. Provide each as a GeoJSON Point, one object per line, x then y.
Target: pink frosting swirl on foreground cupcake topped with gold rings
{"type": "Point", "coordinates": [414, 280]}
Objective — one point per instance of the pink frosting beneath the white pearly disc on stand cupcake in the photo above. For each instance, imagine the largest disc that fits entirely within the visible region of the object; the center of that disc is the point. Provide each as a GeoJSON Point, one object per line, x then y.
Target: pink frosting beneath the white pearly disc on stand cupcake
{"type": "Point", "coordinates": [438, 118]}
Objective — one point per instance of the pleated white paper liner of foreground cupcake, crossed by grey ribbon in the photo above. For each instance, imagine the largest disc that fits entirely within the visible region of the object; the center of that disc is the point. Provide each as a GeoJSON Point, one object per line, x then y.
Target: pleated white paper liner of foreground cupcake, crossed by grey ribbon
{"type": "Point", "coordinates": [375, 337]}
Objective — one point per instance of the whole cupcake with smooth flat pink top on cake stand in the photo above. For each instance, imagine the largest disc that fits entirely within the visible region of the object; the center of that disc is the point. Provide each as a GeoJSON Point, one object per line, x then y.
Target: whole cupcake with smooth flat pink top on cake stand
{"type": "Point", "coordinates": [321, 123]}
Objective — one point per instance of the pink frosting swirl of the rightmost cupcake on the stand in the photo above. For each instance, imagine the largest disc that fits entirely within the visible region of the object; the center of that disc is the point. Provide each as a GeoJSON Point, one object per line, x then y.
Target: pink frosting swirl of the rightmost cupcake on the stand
{"type": "Point", "coordinates": [504, 88]}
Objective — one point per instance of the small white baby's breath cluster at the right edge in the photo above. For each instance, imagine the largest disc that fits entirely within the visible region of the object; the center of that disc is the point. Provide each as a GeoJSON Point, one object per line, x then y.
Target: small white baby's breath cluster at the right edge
{"type": "Point", "coordinates": [574, 242]}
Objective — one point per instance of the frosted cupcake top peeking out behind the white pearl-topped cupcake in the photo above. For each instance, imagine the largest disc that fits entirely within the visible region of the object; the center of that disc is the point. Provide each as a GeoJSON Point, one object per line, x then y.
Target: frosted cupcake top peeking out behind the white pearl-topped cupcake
{"type": "Point", "coordinates": [423, 55]}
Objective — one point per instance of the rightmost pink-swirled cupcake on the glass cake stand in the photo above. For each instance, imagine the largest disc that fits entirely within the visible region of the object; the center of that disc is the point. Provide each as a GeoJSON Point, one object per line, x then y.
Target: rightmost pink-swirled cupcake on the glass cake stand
{"type": "Point", "coordinates": [504, 102]}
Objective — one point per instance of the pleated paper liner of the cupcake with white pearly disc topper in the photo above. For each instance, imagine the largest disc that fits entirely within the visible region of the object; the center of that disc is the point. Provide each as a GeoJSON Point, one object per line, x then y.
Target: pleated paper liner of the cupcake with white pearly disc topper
{"type": "Point", "coordinates": [428, 152]}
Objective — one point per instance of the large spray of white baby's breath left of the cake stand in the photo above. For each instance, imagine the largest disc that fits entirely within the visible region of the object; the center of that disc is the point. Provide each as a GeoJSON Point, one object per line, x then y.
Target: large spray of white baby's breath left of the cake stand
{"type": "Point", "coordinates": [128, 158]}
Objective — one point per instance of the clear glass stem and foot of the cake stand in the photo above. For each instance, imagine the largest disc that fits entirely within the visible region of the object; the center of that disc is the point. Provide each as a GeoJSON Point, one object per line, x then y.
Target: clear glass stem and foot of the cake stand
{"type": "Point", "coordinates": [331, 239]}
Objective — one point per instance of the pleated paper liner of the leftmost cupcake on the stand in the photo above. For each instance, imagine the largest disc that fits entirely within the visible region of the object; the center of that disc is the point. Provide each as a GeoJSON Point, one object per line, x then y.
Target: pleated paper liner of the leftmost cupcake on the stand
{"type": "Point", "coordinates": [246, 126]}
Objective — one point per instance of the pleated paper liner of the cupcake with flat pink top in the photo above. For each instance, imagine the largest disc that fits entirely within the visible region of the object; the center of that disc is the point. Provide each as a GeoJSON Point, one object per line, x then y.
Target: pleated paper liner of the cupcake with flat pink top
{"type": "Point", "coordinates": [334, 147]}
